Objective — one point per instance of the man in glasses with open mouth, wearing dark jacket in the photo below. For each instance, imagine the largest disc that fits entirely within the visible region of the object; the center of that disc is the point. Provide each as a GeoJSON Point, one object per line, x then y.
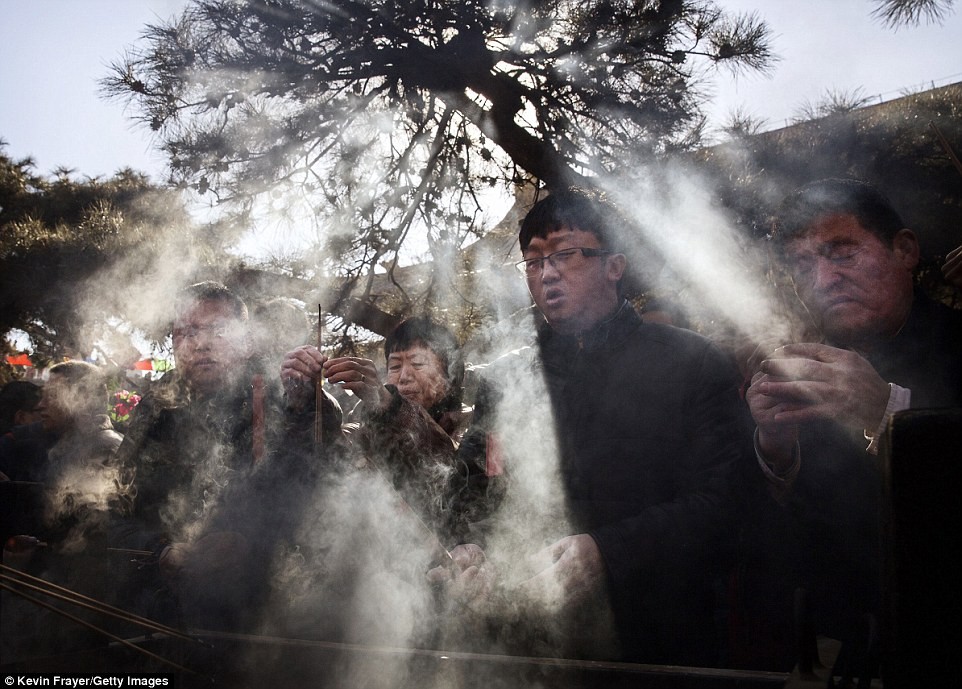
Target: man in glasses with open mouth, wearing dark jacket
{"type": "Point", "coordinates": [623, 479]}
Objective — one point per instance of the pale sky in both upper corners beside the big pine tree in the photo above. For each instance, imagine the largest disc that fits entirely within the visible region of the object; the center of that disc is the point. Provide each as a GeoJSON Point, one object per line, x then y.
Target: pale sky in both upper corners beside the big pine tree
{"type": "Point", "coordinates": [53, 52]}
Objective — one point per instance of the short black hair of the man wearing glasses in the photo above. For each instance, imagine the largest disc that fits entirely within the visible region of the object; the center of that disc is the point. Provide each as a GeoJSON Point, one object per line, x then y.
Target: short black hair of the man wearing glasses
{"type": "Point", "coordinates": [576, 208]}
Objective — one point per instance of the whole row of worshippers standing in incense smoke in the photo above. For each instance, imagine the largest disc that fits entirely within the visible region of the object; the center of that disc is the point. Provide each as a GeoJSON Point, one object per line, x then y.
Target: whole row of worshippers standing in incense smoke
{"type": "Point", "coordinates": [617, 490]}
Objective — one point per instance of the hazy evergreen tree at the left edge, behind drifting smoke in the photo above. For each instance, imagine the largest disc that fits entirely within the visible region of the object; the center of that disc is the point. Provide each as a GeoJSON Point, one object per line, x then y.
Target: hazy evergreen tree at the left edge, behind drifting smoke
{"type": "Point", "coordinates": [72, 252]}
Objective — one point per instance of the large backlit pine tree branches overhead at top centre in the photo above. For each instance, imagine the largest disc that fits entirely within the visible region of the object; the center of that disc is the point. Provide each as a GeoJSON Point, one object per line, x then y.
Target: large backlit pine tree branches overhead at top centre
{"type": "Point", "coordinates": [376, 121]}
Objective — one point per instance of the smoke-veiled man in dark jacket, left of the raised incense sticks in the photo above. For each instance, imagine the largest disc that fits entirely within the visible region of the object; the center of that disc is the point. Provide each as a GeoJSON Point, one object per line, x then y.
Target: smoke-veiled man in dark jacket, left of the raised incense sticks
{"type": "Point", "coordinates": [219, 468]}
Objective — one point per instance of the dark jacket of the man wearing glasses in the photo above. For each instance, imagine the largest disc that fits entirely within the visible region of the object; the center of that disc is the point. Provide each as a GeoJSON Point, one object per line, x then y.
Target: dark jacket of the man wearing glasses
{"type": "Point", "coordinates": [649, 428]}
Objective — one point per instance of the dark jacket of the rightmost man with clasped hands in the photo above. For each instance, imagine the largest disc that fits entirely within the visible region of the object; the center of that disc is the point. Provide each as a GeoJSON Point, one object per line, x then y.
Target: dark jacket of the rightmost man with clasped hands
{"type": "Point", "coordinates": [826, 536]}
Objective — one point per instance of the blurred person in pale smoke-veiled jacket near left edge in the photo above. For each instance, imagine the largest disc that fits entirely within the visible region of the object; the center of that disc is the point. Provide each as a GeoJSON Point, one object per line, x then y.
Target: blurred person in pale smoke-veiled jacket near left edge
{"type": "Point", "coordinates": [65, 531]}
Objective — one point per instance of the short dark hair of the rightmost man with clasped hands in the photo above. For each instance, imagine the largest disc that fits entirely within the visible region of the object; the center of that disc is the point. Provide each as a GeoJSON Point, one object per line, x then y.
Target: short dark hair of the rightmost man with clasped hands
{"type": "Point", "coordinates": [815, 201]}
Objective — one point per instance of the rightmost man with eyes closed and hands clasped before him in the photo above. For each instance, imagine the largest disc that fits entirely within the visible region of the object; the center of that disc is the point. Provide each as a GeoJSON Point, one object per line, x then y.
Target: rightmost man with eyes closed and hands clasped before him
{"type": "Point", "coordinates": [821, 408]}
